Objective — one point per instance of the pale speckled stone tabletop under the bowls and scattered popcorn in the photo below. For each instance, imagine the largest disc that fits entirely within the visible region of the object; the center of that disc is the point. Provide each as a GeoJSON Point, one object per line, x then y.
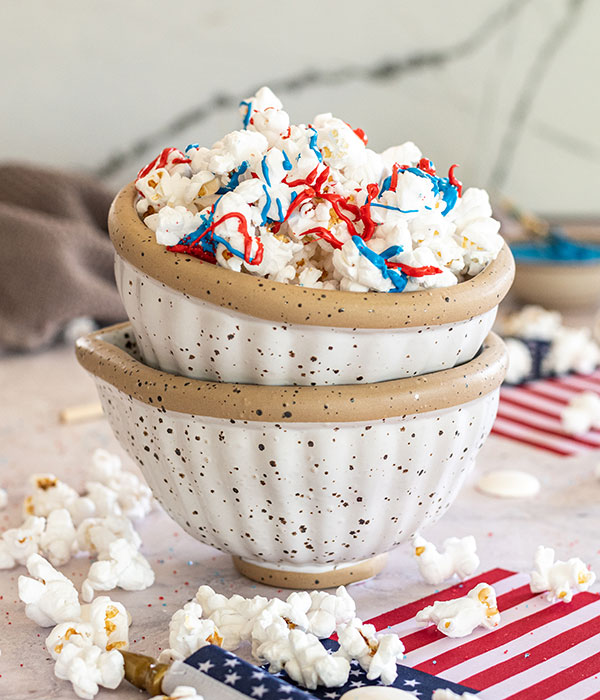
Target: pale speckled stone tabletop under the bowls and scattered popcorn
{"type": "Point", "coordinates": [34, 388]}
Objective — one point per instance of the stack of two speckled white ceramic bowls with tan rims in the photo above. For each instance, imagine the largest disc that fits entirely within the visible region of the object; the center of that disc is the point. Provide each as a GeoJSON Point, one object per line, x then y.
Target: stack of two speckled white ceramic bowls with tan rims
{"type": "Point", "coordinates": [305, 432]}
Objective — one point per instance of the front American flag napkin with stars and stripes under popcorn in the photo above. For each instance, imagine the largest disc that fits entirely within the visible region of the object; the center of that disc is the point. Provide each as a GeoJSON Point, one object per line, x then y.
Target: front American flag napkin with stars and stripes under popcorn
{"type": "Point", "coordinates": [539, 651]}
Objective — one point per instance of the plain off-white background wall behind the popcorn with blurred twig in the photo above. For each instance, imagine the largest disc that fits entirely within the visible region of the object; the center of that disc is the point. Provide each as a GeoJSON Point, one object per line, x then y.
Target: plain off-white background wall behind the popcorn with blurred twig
{"type": "Point", "coordinates": [506, 88]}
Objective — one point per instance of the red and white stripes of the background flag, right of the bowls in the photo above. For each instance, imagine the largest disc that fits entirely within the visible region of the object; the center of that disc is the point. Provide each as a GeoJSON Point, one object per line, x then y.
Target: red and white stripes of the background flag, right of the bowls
{"type": "Point", "coordinates": [530, 414]}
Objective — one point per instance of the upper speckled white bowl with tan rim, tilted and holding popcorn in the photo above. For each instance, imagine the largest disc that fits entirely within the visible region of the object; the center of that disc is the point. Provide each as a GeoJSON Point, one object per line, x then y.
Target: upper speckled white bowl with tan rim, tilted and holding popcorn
{"type": "Point", "coordinates": [203, 321]}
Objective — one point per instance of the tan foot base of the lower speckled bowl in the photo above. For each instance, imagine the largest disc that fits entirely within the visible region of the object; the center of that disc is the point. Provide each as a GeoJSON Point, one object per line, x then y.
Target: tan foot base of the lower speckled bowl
{"type": "Point", "coordinates": [286, 576]}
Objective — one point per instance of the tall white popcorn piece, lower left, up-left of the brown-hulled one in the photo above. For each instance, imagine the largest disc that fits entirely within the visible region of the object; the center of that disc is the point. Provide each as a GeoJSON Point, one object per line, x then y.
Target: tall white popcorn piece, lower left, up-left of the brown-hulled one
{"type": "Point", "coordinates": [49, 597]}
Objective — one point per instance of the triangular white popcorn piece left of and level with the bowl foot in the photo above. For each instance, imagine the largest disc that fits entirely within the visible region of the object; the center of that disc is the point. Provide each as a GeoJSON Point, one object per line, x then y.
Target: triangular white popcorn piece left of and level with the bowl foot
{"type": "Point", "coordinates": [122, 566]}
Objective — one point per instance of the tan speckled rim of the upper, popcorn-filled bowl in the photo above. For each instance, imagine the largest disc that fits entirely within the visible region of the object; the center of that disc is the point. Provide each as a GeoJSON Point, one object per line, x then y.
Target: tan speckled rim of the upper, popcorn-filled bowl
{"type": "Point", "coordinates": [278, 302]}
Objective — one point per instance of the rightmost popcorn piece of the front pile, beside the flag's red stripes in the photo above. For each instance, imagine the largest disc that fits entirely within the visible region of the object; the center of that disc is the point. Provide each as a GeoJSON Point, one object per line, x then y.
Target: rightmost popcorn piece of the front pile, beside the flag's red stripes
{"type": "Point", "coordinates": [377, 655]}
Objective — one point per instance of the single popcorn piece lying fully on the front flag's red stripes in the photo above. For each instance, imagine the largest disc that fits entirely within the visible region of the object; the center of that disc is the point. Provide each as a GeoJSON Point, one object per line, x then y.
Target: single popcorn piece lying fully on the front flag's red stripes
{"type": "Point", "coordinates": [460, 616]}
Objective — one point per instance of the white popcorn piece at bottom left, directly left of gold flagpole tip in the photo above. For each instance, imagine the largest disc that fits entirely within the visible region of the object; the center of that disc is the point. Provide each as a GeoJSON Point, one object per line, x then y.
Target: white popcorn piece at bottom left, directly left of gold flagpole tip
{"type": "Point", "coordinates": [88, 667]}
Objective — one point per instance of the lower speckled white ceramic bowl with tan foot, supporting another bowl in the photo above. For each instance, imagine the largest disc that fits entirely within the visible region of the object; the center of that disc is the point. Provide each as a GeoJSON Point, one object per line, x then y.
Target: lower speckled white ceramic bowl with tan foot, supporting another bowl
{"type": "Point", "coordinates": [305, 486]}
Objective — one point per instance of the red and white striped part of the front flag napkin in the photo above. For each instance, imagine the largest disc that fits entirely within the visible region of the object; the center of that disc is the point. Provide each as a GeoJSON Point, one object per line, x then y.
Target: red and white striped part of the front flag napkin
{"type": "Point", "coordinates": [540, 650]}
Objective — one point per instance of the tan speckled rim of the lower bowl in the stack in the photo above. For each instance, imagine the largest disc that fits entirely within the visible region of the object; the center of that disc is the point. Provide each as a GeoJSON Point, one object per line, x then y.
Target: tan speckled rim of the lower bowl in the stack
{"type": "Point", "coordinates": [105, 355]}
